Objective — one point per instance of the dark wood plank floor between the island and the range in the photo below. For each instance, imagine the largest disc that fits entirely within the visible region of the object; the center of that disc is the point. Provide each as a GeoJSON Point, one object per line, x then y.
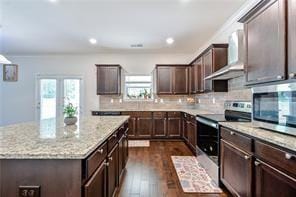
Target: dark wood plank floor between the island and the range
{"type": "Point", "coordinates": [151, 173]}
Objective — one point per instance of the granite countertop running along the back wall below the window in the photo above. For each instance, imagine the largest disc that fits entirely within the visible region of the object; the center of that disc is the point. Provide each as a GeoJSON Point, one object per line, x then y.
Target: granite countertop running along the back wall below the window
{"type": "Point", "coordinates": [193, 112]}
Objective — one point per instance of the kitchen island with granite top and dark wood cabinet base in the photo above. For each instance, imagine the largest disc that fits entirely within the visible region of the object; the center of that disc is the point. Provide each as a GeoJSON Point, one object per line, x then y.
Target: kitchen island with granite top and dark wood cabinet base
{"type": "Point", "coordinates": [46, 158]}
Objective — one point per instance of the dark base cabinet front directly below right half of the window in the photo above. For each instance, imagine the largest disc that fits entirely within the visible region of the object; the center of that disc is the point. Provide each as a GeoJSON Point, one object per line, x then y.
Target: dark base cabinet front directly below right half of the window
{"type": "Point", "coordinates": [144, 125]}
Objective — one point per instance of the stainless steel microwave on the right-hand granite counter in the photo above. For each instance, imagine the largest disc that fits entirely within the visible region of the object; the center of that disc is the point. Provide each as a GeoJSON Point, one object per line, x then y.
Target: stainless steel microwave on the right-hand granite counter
{"type": "Point", "coordinates": [274, 107]}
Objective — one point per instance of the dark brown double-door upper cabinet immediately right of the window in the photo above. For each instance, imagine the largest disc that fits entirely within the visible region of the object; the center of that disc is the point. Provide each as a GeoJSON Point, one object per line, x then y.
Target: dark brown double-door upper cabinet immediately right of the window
{"type": "Point", "coordinates": [172, 79]}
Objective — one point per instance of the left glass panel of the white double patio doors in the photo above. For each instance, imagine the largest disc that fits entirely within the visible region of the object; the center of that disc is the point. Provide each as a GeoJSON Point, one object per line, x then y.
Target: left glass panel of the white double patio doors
{"type": "Point", "coordinates": [48, 98]}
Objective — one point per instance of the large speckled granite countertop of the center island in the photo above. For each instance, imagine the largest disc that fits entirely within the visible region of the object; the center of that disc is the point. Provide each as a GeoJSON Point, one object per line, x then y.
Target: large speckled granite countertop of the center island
{"type": "Point", "coordinates": [50, 139]}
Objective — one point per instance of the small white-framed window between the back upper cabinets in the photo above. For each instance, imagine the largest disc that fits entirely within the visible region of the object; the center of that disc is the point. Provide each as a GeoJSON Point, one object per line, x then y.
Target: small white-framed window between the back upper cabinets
{"type": "Point", "coordinates": [138, 87]}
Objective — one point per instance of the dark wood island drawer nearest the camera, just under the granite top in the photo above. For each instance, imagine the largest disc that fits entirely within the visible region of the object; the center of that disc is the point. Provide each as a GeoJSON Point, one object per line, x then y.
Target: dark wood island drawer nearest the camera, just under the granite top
{"type": "Point", "coordinates": [95, 159]}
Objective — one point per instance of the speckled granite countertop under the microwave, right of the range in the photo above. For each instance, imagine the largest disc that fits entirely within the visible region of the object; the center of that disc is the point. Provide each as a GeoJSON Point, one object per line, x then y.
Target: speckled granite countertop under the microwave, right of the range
{"type": "Point", "coordinates": [279, 139]}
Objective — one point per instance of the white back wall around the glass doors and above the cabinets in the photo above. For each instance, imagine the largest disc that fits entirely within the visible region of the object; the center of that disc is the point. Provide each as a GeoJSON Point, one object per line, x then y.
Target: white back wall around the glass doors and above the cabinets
{"type": "Point", "coordinates": [19, 97]}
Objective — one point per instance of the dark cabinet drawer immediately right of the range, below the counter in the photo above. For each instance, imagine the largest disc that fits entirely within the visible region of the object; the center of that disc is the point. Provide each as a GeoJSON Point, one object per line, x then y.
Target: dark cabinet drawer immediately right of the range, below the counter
{"type": "Point", "coordinates": [241, 141]}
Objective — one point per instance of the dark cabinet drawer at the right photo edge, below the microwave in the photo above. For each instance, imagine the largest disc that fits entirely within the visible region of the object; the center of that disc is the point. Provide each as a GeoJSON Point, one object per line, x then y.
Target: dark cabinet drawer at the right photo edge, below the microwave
{"type": "Point", "coordinates": [280, 158]}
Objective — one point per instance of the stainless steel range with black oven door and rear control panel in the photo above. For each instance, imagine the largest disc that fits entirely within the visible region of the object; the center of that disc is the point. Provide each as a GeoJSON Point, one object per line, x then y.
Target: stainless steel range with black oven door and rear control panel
{"type": "Point", "coordinates": [208, 135]}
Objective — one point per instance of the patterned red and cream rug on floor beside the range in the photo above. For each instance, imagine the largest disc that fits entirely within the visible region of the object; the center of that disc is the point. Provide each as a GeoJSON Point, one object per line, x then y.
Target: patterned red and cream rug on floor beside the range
{"type": "Point", "coordinates": [192, 176]}
